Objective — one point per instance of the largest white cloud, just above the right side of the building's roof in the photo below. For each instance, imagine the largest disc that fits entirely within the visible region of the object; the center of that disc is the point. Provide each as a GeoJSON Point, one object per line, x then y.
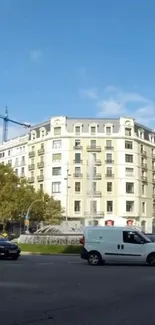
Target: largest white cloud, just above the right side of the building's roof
{"type": "Point", "coordinates": [115, 102]}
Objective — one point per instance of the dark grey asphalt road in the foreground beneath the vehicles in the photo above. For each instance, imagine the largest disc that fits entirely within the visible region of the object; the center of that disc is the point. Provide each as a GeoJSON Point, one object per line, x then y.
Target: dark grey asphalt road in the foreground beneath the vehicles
{"type": "Point", "coordinates": [56, 290]}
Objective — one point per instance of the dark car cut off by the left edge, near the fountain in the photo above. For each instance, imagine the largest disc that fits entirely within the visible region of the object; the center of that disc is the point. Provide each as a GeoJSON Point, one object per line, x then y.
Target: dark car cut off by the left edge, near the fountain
{"type": "Point", "coordinates": [9, 250]}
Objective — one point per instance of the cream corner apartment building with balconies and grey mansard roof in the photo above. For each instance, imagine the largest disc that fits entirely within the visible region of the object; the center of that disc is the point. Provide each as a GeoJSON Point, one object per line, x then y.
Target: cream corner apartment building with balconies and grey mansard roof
{"type": "Point", "coordinates": [123, 173]}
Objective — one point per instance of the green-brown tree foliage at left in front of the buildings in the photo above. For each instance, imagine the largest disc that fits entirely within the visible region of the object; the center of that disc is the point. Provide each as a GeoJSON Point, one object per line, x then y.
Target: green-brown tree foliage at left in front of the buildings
{"type": "Point", "coordinates": [17, 198]}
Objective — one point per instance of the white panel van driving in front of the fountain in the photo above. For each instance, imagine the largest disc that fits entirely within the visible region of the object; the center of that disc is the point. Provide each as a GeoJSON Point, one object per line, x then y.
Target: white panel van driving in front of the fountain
{"type": "Point", "coordinates": [116, 244]}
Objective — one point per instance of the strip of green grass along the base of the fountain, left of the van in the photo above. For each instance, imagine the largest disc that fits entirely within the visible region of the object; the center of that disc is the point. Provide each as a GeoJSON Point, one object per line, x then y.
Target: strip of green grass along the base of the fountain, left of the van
{"type": "Point", "coordinates": [50, 249]}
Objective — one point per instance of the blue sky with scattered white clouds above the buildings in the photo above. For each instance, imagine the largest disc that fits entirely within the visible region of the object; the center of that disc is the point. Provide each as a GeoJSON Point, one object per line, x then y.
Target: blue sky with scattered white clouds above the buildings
{"type": "Point", "coordinates": [77, 58]}
